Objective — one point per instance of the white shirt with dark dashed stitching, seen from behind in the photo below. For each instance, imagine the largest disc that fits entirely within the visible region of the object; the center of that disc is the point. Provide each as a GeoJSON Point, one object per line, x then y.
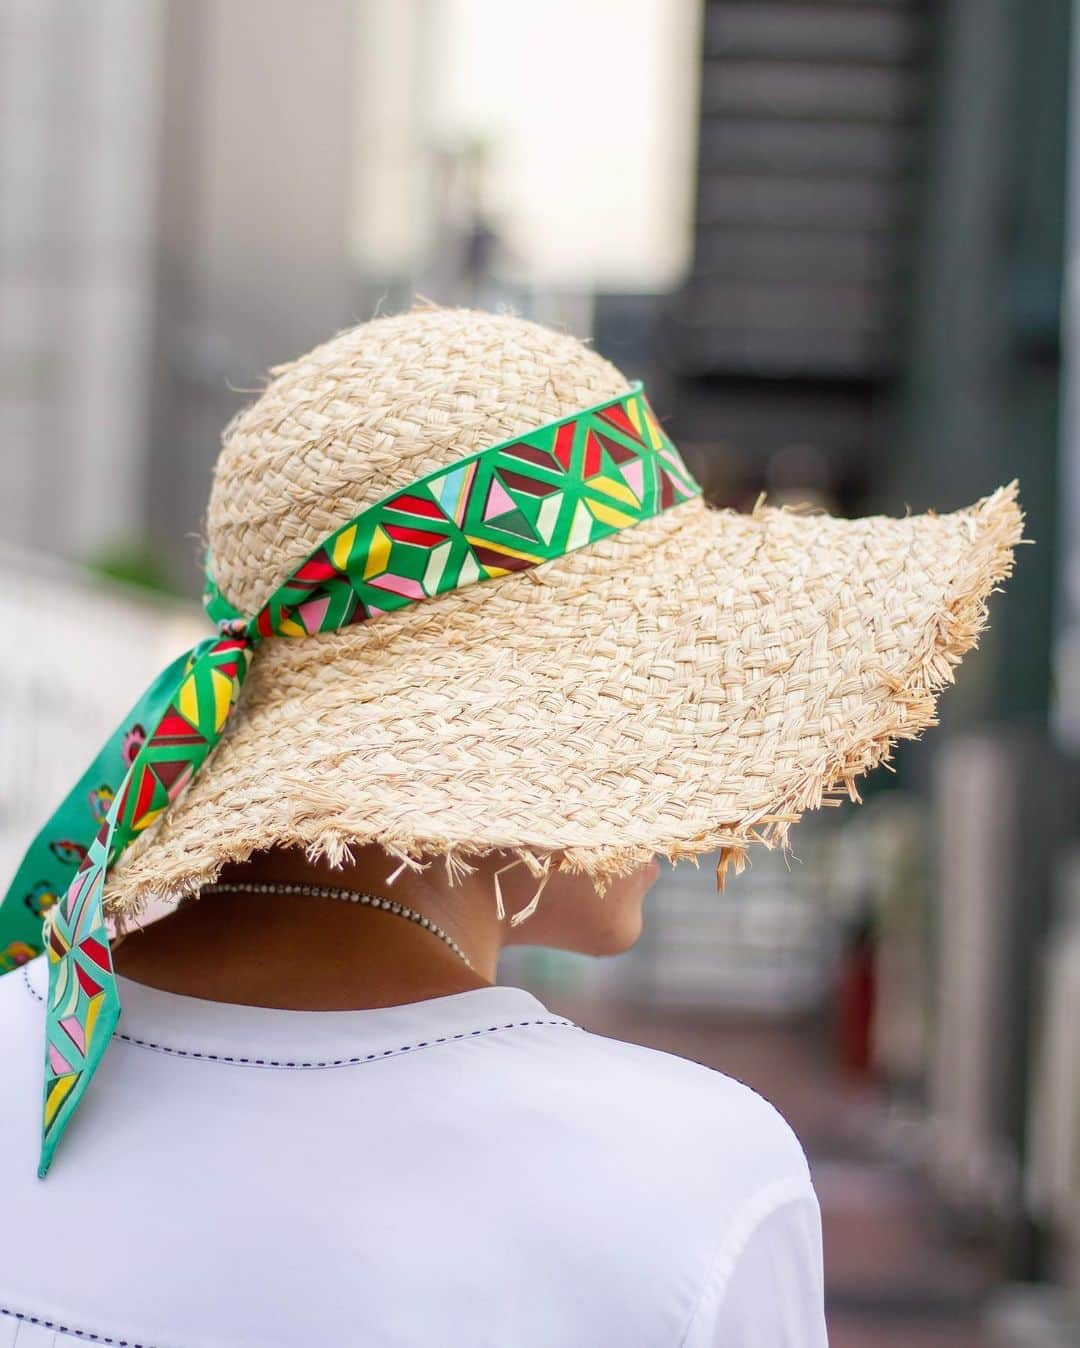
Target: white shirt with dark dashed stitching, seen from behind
{"type": "Point", "coordinates": [466, 1172]}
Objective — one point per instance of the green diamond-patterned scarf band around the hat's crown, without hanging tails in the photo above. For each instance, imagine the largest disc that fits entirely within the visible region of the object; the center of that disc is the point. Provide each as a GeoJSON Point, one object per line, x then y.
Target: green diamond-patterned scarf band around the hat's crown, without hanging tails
{"type": "Point", "coordinates": [505, 510]}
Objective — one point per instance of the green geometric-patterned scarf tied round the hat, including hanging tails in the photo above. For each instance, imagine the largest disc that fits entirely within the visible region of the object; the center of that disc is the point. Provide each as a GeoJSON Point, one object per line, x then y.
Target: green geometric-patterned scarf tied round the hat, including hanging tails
{"type": "Point", "coordinates": [510, 508]}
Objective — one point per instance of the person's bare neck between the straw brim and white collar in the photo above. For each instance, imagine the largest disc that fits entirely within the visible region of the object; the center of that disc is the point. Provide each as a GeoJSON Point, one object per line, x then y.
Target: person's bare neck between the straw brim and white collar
{"type": "Point", "coordinates": [315, 954]}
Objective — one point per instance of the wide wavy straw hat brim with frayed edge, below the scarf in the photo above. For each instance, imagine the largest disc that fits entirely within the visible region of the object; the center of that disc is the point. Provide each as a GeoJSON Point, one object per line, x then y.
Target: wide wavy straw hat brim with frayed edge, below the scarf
{"type": "Point", "coordinates": [688, 685]}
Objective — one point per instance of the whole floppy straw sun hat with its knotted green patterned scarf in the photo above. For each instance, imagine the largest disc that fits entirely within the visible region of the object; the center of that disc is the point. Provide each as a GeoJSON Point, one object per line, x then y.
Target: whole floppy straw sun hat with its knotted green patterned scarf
{"type": "Point", "coordinates": [638, 675]}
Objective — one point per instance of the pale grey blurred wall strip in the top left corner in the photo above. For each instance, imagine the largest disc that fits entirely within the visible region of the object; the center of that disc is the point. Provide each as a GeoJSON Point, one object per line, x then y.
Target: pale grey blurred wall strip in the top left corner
{"type": "Point", "coordinates": [79, 162]}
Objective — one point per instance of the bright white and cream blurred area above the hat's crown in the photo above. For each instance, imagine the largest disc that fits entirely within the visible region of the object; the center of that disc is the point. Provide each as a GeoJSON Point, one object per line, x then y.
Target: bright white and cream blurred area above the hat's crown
{"type": "Point", "coordinates": [586, 113]}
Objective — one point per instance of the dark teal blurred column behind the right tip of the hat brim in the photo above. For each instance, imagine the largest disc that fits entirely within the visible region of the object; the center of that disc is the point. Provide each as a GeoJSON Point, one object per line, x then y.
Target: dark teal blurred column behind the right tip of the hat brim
{"type": "Point", "coordinates": [981, 390]}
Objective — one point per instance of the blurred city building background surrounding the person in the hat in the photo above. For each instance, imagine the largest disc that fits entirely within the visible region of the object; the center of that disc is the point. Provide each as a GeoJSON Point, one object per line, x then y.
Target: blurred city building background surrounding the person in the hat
{"type": "Point", "coordinates": [837, 239]}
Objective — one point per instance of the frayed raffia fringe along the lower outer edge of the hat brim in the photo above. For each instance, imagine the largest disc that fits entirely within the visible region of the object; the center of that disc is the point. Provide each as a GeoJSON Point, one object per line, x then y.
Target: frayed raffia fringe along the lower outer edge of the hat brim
{"type": "Point", "coordinates": [997, 524]}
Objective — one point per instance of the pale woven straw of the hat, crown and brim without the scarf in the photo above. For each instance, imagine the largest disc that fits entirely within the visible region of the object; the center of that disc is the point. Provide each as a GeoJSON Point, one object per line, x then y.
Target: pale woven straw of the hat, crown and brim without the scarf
{"type": "Point", "coordinates": [695, 683]}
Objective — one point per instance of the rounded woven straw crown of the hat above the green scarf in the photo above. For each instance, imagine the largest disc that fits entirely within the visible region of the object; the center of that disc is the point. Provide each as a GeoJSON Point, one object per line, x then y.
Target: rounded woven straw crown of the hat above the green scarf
{"type": "Point", "coordinates": [376, 410]}
